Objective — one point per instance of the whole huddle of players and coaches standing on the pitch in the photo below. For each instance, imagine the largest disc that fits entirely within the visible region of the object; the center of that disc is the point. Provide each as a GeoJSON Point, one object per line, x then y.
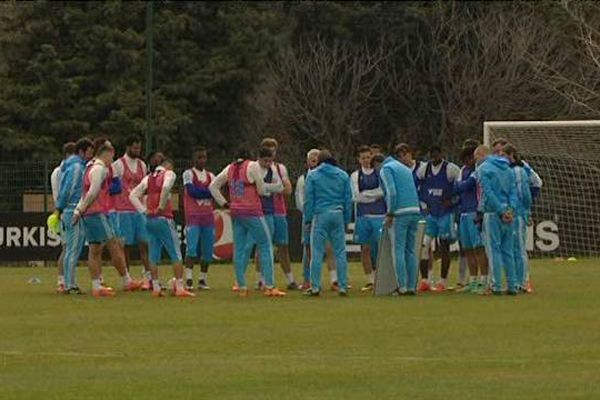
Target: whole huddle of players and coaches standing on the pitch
{"type": "Point", "coordinates": [123, 204]}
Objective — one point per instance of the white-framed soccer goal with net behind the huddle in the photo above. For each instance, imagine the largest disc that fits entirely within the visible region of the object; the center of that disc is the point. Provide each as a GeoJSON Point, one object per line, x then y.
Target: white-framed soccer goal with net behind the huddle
{"type": "Point", "coordinates": [566, 155]}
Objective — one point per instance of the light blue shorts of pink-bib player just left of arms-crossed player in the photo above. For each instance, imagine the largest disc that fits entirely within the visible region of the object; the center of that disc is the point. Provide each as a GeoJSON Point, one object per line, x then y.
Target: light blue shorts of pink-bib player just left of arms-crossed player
{"type": "Point", "coordinates": [162, 234]}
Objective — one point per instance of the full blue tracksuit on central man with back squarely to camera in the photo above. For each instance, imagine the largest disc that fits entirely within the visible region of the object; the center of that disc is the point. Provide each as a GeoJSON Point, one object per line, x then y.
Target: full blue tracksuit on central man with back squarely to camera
{"type": "Point", "coordinates": [328, 208]}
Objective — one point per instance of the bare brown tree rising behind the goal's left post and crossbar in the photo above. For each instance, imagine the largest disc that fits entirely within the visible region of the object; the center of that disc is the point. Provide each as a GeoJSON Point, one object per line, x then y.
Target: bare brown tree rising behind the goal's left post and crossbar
{"type": "Point", "coordinates": [483, 72]}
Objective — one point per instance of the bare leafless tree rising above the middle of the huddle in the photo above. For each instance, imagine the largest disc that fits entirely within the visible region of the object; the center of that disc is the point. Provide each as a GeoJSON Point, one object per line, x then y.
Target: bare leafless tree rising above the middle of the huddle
{"type": "Point", "coordinates": [325, 92]}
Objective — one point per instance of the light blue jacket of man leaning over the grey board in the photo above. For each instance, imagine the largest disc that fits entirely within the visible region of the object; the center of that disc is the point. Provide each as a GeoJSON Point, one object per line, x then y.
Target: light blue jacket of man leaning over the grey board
{"type": "Point", "coordinates": [399, 188]}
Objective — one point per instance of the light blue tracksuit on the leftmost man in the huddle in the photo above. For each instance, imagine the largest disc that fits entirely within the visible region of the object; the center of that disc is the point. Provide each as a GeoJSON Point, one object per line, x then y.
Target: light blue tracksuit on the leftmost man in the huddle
{"type": "Point", "coordinates": [69, 193]}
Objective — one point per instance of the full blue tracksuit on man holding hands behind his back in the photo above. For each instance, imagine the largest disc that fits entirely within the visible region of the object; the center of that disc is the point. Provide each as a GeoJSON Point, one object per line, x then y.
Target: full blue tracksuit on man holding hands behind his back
{"type": "Point", "coordinates": [498, 195]}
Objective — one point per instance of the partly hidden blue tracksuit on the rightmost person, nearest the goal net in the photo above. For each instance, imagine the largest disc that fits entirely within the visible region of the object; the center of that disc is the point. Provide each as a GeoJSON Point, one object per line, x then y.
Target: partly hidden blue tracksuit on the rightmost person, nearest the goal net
{"type": "Point", "coordinates": [522, 211]}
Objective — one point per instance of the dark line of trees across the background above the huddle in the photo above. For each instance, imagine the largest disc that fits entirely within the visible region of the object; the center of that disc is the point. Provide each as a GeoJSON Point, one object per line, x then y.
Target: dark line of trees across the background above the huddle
{"type": "Point", "coordinates": [334, 74]}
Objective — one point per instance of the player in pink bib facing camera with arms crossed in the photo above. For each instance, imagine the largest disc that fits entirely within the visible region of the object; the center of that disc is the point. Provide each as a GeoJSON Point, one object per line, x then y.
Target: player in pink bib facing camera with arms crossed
{"type": "Point", "coordinates": [199, 208]}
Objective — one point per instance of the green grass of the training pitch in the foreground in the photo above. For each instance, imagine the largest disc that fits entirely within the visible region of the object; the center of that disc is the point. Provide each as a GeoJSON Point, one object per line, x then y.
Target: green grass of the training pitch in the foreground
{"type": "Point", "coordinates": [218, 346]}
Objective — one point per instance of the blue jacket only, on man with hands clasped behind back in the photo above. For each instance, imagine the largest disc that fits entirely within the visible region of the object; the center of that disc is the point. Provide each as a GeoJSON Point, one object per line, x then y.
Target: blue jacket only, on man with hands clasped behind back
{"type": "Point", "coordinates": [498, 187]}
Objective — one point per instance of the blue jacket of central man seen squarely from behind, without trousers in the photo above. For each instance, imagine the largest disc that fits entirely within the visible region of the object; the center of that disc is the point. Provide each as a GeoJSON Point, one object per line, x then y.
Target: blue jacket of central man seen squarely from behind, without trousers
{"type": "Point", "coordinates": [327, 189]}
